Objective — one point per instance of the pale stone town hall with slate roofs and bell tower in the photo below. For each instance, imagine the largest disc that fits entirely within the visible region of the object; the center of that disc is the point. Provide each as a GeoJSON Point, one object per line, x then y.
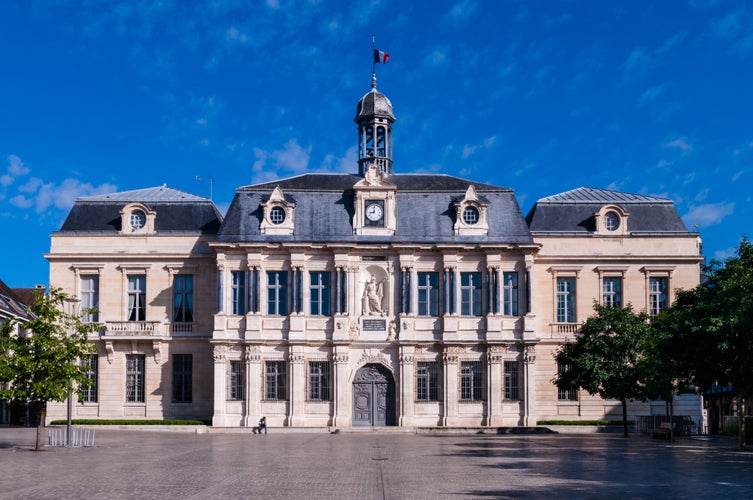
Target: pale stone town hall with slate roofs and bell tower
{"type": "Point", "coordinates": [375, 298]}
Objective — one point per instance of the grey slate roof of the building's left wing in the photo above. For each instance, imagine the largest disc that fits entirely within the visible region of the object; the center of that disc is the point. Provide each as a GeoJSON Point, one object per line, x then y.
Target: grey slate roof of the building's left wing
{"type": "Point", "coordinates": [177, 212]}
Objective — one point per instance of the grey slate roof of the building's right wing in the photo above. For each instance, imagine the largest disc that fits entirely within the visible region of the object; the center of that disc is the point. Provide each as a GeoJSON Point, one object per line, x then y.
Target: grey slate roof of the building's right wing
{"type": "Point", "coordinates": [572, 212]}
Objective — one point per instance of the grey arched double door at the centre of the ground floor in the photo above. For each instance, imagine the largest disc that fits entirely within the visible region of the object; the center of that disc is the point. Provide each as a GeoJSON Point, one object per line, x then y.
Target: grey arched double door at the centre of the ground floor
{"type": "Point", "coordinates": [373, 396]}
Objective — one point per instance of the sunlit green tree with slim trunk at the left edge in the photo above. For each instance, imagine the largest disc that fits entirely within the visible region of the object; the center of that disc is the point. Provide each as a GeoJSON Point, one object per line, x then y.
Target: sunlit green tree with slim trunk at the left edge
{"type": "Point", "coordinates": [41, 362]}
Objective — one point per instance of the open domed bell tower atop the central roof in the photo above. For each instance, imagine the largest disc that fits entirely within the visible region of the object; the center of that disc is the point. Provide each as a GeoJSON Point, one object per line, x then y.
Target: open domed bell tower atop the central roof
{"type": "Point", "coordinates": [374, 118]}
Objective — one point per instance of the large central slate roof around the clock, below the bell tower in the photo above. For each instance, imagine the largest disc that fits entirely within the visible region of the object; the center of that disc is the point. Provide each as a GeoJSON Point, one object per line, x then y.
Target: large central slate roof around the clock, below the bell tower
{"type": "Point", "coordinates": [325, 208]}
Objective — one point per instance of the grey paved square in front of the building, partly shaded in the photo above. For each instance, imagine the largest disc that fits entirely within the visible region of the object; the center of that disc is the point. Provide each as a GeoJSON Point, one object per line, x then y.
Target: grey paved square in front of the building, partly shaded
{"type": "Point", "coordinates": [133, 464]}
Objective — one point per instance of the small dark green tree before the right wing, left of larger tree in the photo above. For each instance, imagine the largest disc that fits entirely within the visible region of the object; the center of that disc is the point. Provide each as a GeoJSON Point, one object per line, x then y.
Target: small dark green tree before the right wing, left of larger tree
{"type": "Point", "coordinates": [604, 358]}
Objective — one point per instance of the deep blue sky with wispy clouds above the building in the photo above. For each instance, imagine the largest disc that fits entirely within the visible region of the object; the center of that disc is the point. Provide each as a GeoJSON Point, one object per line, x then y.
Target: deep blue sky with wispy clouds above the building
{"type": "Point", "coordinates": [647, 97]}
